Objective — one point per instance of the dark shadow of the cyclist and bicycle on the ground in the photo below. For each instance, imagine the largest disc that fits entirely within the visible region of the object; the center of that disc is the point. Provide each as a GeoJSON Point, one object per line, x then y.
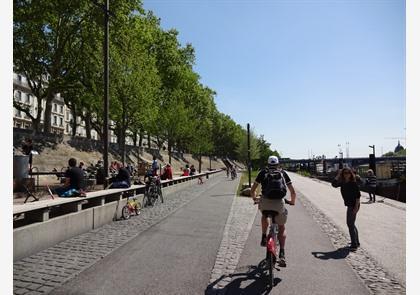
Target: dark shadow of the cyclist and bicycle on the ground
{"type": "Point", "coordinates": [253, 281]}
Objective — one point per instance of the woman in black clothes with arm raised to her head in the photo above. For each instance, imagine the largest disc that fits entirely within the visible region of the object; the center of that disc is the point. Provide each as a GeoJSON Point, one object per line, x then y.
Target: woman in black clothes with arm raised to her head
{"type": "Point", "coordinates": [350, 192]}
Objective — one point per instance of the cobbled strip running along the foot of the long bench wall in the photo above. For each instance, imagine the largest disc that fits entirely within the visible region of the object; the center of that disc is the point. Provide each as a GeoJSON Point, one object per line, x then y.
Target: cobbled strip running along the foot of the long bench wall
{"type": "Point", "coordinates": [42, 272]}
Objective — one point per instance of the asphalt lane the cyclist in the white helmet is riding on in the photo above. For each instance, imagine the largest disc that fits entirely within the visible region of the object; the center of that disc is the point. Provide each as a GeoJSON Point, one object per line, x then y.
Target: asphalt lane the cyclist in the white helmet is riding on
{"type": "Point", "coordinates": [304, 274]}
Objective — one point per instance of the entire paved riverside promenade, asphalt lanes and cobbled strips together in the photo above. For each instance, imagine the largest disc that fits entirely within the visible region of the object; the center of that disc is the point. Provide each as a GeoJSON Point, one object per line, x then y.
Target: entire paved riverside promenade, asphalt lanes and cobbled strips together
{"type": "Point", "coordinates": [205, 240]}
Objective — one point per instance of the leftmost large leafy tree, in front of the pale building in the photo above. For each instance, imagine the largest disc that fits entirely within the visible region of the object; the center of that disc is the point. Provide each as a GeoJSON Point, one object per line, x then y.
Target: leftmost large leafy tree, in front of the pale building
{"type": "Point", "coordinates": [45, 48]}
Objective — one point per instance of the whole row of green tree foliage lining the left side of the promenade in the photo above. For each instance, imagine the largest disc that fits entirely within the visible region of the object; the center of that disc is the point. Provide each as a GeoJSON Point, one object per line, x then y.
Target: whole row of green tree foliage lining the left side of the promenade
{"type": "Point", "coordinates": [154, 90]}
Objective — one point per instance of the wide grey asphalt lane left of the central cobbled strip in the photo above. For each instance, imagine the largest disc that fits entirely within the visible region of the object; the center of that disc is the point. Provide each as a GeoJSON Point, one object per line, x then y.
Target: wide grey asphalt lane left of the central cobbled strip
{"type": "Point", "coordinates": [174, 256]}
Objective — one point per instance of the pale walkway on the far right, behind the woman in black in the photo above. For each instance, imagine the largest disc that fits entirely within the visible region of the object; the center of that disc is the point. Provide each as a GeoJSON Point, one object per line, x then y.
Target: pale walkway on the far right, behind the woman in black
{"type": "Point", "coordinates": [381, 225]}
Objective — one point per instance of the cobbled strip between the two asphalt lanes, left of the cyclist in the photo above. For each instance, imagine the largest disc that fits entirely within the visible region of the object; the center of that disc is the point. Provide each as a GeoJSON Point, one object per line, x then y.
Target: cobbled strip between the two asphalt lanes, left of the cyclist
{"type": "Point", "coordinates": [237, 228]}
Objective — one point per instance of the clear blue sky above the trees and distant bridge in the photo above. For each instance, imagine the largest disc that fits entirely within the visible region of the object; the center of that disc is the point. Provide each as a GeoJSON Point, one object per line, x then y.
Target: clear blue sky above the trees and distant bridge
{"type": "Point", "coordinates": [306, 74]}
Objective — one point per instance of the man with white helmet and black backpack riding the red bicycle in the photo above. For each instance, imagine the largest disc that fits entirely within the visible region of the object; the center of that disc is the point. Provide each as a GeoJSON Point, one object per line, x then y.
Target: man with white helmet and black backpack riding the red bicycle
{"type": "Point", "coordinates": [274, 181]}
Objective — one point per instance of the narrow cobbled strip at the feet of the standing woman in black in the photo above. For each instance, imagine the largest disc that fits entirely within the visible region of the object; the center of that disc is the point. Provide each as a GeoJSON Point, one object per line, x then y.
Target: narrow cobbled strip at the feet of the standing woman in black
{"type": "Point", "coordinates": [370, 272]}
